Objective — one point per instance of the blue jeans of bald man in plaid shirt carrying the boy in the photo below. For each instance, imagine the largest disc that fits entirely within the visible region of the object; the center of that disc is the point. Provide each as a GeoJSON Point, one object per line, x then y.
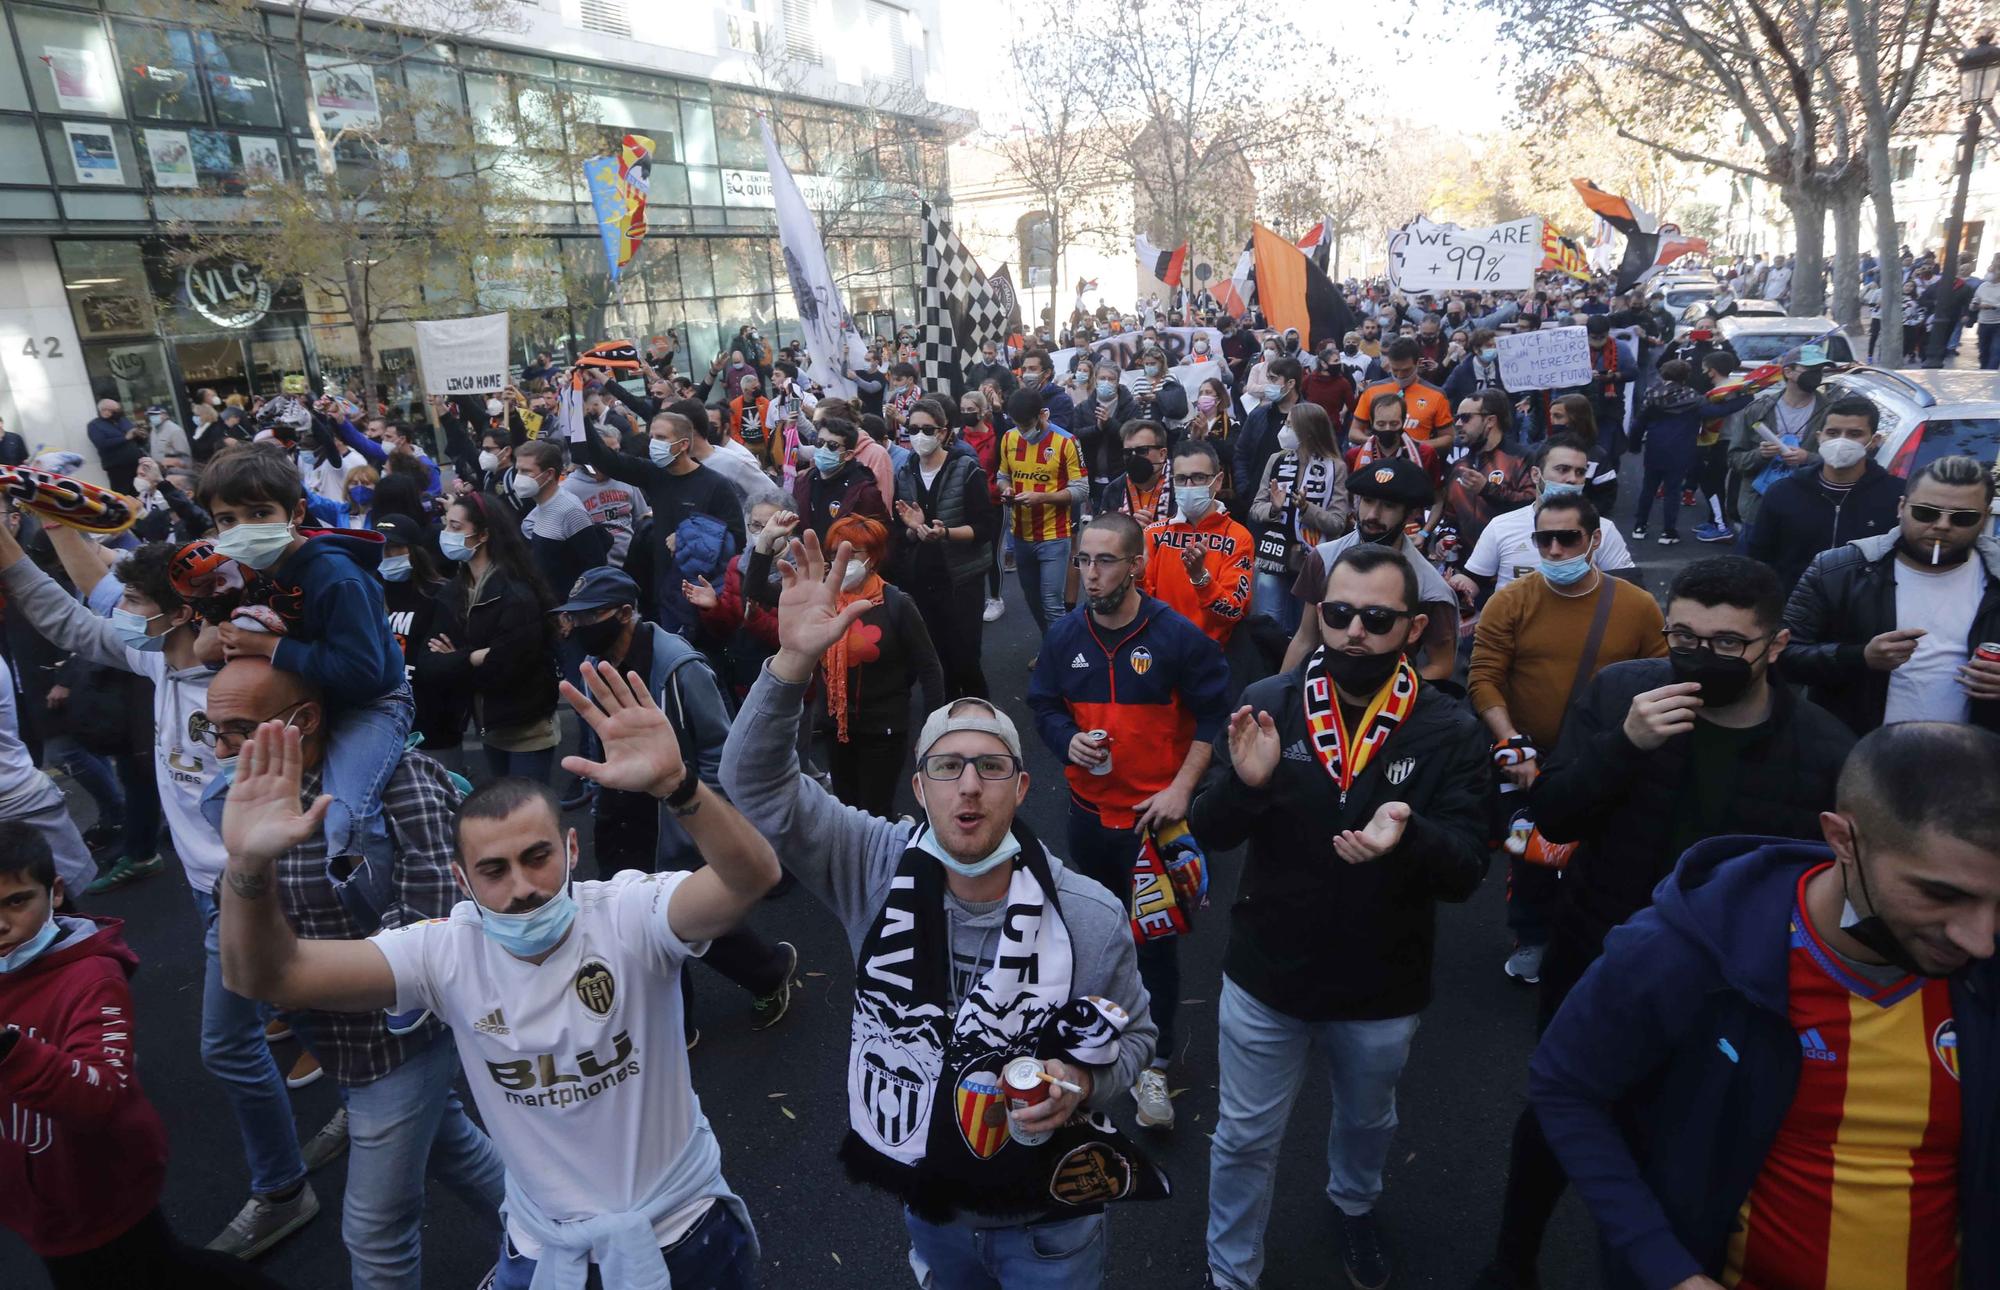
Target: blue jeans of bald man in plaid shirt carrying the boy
{"type": "Point", "coordinates": [395, 1127]}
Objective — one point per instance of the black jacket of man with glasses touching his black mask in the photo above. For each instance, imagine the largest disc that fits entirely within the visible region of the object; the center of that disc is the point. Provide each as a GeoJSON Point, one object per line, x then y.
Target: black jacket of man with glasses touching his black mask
{"type": "Point", "coordinates": [1619, 803]}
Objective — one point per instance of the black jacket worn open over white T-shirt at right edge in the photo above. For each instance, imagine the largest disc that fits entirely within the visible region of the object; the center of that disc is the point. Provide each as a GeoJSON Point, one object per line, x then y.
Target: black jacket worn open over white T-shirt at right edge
{"type": "Point", "coordinates": [1845, 601]}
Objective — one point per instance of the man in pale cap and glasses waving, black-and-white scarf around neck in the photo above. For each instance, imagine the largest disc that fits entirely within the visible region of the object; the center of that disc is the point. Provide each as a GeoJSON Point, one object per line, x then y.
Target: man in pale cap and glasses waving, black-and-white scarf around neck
{"type": "Point", "coordinates": [973, 945]}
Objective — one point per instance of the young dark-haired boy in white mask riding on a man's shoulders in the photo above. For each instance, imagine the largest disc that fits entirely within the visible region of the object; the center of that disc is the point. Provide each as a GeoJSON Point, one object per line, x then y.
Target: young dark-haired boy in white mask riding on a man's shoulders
{"type": "Point", "coordinates": [335, 635]}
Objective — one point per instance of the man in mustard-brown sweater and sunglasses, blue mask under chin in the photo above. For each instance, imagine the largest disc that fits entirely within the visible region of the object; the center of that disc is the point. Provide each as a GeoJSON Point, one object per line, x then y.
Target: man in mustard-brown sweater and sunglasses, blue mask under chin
{"type": "Point", "coordinates": [1539, 643]}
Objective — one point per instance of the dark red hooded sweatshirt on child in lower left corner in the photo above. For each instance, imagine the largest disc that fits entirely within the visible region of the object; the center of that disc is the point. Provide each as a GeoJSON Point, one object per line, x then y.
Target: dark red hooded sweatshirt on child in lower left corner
{"type": "Point", "coordinates": [83, 1155]}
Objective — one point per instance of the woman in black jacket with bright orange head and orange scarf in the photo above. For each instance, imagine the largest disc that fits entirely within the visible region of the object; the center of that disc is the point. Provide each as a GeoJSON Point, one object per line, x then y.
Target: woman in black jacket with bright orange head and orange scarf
{"type": "Point", "coordinates": [869, 675]}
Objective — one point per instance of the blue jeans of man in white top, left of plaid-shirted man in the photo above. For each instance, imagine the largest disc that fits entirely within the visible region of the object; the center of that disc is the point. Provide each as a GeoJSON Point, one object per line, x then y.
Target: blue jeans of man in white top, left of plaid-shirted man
{"type": "Point", "coordinates": [235, 1051]}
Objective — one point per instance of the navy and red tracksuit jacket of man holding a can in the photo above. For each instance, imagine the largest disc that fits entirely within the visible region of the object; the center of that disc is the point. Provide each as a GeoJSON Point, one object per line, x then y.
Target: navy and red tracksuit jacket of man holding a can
{"type": "Point", "coordinates": [1155, 685]}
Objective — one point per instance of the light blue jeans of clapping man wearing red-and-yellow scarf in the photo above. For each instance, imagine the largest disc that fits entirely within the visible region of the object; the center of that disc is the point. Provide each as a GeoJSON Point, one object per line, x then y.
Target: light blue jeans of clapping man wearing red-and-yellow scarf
{"type": "Point", "coordinates": [1263, 1061]}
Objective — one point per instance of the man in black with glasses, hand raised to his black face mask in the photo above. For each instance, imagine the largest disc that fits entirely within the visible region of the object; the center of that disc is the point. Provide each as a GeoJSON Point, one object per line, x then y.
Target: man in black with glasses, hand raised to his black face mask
{"type": "Point", "coordinates": [1657, 757]}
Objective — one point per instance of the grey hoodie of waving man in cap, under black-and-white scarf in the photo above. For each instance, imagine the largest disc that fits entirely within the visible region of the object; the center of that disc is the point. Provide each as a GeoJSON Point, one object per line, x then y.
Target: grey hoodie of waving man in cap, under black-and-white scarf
{"type": "Point", "coordinates": [847, 859]}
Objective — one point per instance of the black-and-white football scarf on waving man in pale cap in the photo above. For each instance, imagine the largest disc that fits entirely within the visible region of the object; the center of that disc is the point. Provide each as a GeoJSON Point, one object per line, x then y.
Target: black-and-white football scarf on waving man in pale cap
{"type": "Point", "coordinates": [927, 1111]}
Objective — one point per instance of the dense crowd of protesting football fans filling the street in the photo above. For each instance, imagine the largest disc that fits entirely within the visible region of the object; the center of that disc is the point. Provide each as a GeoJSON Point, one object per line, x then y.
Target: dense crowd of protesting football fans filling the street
{"type": "Point", "coordinates": [1341, 617]}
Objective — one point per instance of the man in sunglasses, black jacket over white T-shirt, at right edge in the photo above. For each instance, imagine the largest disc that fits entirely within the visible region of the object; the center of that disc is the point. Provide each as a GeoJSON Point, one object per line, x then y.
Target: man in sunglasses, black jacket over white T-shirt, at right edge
{"type": "Point", "coordinates": [1889, 629]}
